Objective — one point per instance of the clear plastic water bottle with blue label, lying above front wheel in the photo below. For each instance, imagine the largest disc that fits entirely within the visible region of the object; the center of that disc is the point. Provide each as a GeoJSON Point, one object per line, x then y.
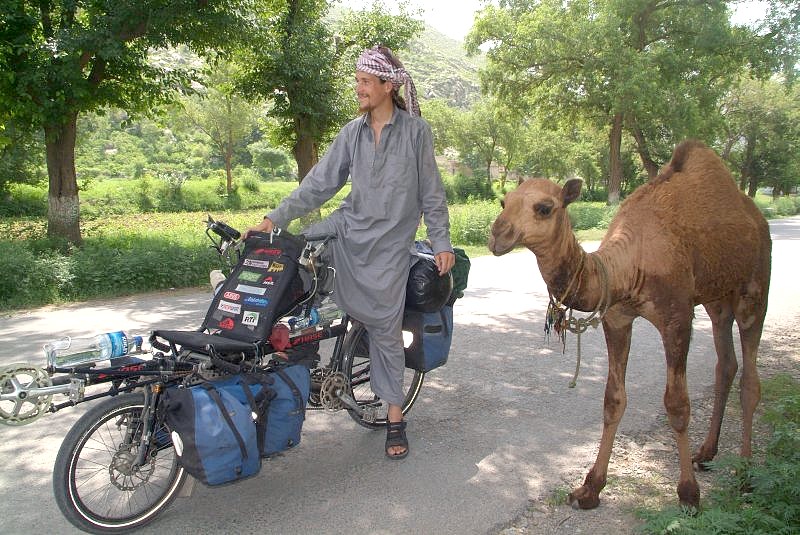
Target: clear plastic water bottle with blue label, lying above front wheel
{"type": "Point", "coordinates": [73, 352]}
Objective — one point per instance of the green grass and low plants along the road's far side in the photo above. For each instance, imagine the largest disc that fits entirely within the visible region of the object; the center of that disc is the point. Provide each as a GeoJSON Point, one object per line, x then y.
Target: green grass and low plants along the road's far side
{"type": "Point", "coordinates": [143, 235]}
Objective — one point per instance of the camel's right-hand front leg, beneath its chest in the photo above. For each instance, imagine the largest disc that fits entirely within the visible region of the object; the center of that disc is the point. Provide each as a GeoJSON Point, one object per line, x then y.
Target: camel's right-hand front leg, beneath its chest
{"type": "Point", "coordinates": [676, 335]}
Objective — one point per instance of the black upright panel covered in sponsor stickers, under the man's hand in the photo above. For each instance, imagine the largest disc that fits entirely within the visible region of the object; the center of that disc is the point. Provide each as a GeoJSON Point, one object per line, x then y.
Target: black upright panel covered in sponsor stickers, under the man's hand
{"type": "Point", "coordinates": [263, 286]}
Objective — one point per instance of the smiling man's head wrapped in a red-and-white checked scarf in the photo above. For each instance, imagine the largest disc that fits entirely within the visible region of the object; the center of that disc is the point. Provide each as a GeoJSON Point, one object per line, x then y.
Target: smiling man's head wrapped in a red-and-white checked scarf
{"type": "Point", "coordinates": [380, 74]}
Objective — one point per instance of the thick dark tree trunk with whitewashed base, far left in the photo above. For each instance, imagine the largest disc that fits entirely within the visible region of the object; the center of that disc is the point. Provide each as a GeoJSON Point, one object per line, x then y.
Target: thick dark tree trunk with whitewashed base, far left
{"type": "Point", "coordinates": [63, 206]}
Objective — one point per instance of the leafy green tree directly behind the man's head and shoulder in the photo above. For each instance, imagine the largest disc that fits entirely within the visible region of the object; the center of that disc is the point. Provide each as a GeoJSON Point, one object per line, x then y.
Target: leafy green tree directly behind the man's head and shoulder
{"type": "Point", "coordinates": [297, 63]}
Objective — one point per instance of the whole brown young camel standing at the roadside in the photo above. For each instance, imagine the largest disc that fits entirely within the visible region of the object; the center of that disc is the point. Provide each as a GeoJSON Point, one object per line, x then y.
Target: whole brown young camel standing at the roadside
{"type": "Point", "coordinates": [688, 237]}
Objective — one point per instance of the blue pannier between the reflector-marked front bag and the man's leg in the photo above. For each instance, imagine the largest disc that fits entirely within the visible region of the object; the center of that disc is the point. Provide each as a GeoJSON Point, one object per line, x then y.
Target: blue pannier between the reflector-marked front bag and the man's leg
{"type": "Point", "coordinates": [287, 410]}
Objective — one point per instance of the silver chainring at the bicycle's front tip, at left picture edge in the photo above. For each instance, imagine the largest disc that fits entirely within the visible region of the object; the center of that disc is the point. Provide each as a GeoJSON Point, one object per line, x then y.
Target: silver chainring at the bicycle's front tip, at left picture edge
{"type": "Point", "coordinates": [17, 405]}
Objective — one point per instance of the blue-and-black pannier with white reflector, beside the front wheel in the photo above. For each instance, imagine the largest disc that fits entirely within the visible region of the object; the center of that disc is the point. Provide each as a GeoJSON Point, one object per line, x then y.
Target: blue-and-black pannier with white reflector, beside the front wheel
{"type": "Point", "coordinates": [217, 426]}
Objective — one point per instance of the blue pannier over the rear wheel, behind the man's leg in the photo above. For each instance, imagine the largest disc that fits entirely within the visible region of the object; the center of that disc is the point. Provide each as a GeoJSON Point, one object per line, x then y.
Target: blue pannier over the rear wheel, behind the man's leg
{"type": "Point", "coordinates": [432, 334]}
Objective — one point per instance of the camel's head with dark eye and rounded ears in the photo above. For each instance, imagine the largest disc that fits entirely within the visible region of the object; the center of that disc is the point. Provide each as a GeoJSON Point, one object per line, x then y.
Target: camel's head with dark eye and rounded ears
{"type": "Point", "coordinates": [533, 214]}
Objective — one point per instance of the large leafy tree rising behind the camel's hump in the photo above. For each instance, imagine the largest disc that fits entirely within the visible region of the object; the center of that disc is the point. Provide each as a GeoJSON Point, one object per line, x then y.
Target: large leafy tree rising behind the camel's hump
{"type": "Point", "coordinates": [653, 68]}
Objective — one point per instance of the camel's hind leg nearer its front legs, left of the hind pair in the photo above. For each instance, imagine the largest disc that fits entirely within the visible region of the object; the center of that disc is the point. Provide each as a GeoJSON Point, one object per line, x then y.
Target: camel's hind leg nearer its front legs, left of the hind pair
{"type": "Point", "coordinates": [721, 314]}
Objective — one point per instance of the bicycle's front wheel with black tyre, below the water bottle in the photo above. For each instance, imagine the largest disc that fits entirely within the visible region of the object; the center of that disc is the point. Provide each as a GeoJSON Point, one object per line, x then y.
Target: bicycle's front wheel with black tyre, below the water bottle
{"type": "Point", "coordinates": [93, 454]}
